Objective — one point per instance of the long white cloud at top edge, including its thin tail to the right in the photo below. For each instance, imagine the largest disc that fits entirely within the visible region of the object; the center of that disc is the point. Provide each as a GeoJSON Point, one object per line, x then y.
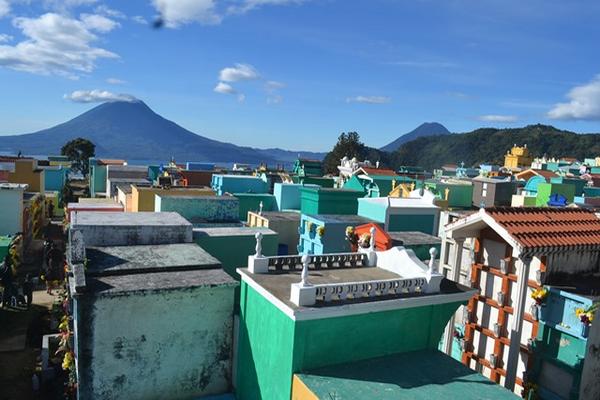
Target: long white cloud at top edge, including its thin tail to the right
{"type": "Point", "coordinates": [175, 13]}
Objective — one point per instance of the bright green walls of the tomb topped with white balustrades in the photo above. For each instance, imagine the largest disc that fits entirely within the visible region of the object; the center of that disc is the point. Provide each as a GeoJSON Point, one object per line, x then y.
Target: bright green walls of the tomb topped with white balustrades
{"type": "Point", "coordinates": [274, 347]}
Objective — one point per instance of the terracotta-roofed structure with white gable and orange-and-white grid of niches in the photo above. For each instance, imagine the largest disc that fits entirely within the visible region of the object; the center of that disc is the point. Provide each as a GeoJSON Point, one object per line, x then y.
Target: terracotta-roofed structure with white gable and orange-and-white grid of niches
{"type": "Point", "coordinates": [516, 251]}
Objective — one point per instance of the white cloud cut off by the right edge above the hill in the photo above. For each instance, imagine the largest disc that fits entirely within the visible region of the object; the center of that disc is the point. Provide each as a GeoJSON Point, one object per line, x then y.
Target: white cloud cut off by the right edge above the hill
{"type": "Point", "coordinates": [584, 103]}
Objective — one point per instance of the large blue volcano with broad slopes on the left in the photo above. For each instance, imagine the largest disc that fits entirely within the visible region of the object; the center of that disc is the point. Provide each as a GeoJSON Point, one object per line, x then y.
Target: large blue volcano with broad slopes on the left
{"type": "Point", "coordinates": [131, 130]}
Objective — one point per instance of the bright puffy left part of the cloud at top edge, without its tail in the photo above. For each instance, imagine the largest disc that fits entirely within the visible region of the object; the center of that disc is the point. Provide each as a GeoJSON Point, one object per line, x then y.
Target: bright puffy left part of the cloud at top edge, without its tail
{"type": "Point", "coordinates": [178, 12]}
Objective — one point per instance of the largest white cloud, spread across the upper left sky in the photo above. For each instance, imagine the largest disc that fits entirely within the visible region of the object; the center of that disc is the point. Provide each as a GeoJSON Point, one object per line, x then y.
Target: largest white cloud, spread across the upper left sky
{"type": "Point", "coordinates": [55, 44]}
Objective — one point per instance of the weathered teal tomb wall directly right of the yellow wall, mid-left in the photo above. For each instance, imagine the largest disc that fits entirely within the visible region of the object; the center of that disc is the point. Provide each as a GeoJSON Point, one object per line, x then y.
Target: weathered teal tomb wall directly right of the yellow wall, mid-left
{"type": "Point", "coordinates": [201, 208]}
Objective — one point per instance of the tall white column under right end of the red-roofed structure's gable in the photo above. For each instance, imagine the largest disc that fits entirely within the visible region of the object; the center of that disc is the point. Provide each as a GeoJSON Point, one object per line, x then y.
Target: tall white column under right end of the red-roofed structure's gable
{"type": "Point", "coordinates": [514, 350]}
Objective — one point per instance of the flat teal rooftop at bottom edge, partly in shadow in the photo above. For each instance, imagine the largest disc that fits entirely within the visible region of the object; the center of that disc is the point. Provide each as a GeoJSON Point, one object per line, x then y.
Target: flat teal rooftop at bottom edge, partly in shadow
{"type": "Point", "coordinates": [420, 375]}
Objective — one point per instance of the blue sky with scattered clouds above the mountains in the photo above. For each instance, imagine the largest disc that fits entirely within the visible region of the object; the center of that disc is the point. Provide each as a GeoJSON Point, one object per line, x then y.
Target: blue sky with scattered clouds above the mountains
{"type": "Point", "coordinates": [296, 73]}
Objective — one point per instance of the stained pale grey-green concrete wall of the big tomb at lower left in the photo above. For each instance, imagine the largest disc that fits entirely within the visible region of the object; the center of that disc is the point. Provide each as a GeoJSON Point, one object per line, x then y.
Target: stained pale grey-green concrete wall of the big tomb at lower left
{"type": "Point", "coordinates": [156, 345]}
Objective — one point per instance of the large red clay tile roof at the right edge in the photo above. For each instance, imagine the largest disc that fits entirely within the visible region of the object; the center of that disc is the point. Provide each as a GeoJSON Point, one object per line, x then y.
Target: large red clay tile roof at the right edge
{"type": "Point", "coordinates": [549, 227]}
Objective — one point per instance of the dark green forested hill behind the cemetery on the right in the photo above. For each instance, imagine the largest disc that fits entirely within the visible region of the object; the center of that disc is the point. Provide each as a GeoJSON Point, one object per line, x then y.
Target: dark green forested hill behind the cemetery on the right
{"type": "Point", "coordinates": [490, 145]}
